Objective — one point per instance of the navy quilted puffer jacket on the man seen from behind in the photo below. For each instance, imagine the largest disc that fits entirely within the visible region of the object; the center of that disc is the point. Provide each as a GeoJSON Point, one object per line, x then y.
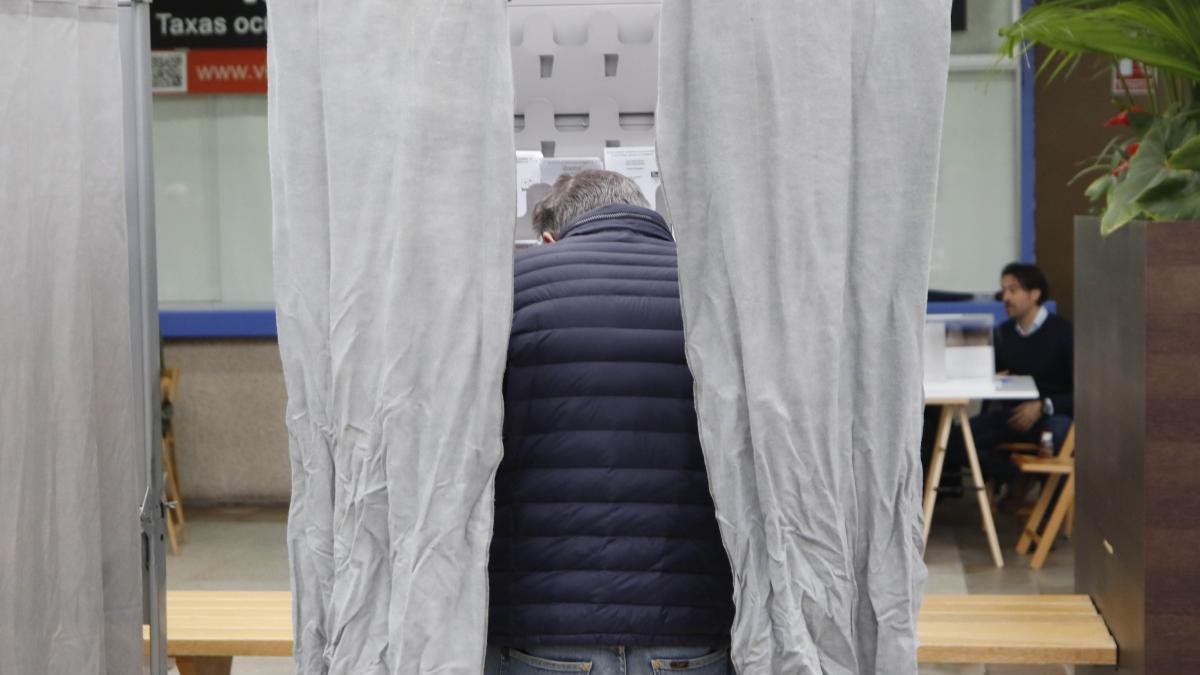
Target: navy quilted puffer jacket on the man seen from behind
{"type": "Point", "coordinates": [605, 529]}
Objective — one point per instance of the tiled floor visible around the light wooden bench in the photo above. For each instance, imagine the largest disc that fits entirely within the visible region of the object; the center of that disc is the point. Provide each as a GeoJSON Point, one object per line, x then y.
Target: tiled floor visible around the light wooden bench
{"type": "Point", "coordinates": [244, 549]}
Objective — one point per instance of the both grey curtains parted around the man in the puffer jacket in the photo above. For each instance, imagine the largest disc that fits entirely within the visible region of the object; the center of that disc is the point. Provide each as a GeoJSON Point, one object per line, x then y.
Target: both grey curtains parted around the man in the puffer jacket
{"type": "Point", "coordinates": [800, 145]}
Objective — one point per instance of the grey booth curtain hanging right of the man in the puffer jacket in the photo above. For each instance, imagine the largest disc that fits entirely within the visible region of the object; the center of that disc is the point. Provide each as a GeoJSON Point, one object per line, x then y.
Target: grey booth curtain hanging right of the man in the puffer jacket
{"type": "Point", "coordinates": [799, 145]}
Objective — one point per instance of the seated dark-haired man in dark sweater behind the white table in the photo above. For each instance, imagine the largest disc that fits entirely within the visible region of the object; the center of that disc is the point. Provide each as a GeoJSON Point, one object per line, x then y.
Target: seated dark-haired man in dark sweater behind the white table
{"type": "Point", "coordinates": [1033, 343]}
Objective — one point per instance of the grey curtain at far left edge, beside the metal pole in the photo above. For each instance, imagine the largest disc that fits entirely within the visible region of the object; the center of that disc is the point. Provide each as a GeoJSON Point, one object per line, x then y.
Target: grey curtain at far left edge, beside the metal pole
{"type": "Point", "coordinates": [70, 574]}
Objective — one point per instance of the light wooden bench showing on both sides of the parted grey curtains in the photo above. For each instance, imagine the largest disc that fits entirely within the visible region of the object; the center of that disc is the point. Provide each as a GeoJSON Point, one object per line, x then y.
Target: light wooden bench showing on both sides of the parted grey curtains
{"type": "Point", "coordinates": [206, 630]}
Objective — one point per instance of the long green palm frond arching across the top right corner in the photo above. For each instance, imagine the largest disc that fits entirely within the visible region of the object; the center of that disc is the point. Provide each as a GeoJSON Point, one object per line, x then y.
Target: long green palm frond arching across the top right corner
{"type": "Point", "coordinates": [1163, 34]}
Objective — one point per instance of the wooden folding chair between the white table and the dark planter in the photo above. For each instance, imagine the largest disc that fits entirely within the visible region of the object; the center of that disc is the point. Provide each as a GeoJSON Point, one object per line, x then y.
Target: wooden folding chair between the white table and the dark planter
{"type": "Point", "coordinates": [1058, 470]}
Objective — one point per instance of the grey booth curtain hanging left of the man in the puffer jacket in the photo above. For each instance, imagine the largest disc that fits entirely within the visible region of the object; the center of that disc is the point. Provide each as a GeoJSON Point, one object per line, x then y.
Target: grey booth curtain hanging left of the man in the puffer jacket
{"type": "Point", "coordinates": [392, 169]}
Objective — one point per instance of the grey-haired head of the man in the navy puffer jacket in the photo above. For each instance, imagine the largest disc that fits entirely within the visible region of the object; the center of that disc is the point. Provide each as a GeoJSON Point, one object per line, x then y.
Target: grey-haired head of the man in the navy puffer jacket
{"type": "Point", "coordinates": [575, 195]}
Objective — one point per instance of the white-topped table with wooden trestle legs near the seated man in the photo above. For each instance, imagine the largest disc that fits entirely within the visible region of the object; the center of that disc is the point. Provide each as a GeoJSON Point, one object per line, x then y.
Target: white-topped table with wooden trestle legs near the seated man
{"type": "Point", "coordinates": [955, 397]}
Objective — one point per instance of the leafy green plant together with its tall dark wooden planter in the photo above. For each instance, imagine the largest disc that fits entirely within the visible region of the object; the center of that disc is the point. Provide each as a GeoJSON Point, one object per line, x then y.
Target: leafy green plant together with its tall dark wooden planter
{"type": "Point", "coordinates": [1137, 318]}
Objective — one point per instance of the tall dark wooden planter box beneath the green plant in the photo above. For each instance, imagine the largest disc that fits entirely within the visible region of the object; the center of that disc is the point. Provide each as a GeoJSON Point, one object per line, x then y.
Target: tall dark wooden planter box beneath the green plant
{"type": "Point", "coordinates": [1138, 423]}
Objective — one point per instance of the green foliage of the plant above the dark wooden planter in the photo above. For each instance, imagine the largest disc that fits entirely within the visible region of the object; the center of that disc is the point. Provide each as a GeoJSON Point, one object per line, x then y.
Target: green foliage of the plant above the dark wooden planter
{"type": "Point", "coordinates": [1153, 172]}
